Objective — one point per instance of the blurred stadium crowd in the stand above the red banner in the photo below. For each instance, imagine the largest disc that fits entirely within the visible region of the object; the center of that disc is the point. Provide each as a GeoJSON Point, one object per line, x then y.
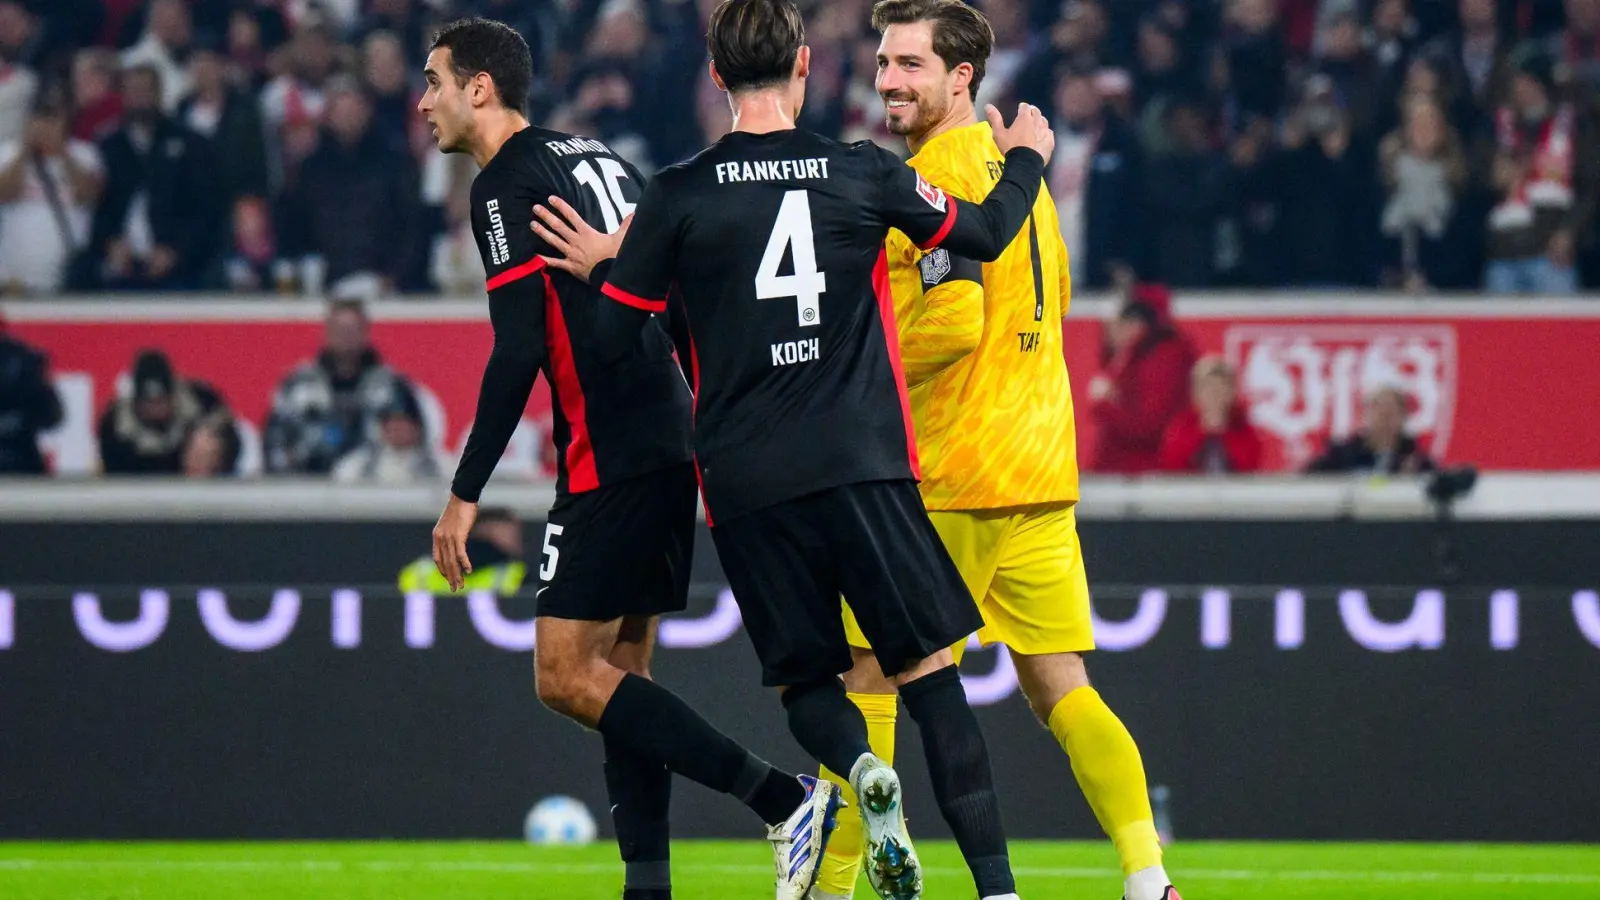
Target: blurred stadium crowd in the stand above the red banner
{"type": "Point", "coordinates": [274, 147]}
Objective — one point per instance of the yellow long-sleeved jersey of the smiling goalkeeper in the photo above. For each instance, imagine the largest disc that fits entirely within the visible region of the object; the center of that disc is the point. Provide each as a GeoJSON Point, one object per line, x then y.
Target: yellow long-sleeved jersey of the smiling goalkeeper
{"type": "Point", "coordinates": [994, 427]}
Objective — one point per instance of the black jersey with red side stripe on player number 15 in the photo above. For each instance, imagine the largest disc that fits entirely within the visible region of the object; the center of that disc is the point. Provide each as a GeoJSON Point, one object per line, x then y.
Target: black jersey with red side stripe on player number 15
{"type": "Point", "coordinates": [612, 420]}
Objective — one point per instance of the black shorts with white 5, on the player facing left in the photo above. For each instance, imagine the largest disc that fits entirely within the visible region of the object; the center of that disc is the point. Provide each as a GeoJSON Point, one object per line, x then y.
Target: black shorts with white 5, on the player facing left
{"type": "Point", "coordinates": [620, 550]}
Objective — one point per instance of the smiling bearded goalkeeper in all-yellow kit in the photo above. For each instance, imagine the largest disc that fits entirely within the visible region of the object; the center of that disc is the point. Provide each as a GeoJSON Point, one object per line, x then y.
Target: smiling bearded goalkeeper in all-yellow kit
{"type": "Point", "coordinates": [982, 347]}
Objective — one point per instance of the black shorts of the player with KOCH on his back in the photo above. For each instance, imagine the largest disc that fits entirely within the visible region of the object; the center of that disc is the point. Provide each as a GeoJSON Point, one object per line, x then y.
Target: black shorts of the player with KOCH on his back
{"type": "Point", "coordinates": [790, 565]}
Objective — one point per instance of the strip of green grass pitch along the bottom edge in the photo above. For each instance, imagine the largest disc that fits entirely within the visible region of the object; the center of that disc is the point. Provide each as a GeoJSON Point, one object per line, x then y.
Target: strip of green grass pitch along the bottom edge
{"type": "Point", "coordinates": [738, 870]}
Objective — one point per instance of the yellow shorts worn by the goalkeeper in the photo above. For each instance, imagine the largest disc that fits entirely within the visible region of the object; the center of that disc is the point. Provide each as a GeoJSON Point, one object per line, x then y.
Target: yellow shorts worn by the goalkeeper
{"type": "Point", "coordinates": [1025, 568]}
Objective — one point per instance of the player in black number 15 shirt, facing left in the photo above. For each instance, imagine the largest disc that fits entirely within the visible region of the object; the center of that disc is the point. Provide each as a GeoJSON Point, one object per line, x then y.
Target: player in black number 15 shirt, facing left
{"type": "Point", "coordinates": [617, 547]}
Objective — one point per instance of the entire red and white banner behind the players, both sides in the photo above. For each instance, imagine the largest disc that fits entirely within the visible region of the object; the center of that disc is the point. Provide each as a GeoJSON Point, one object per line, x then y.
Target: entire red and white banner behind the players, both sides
{"type": "Point", "coordinates": [1489, 385]}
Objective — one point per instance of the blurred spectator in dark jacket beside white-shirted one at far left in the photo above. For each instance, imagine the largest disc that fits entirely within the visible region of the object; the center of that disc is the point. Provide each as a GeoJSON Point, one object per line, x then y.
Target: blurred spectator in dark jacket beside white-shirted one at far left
{"type": "Point", "coordinates": [156, 225]}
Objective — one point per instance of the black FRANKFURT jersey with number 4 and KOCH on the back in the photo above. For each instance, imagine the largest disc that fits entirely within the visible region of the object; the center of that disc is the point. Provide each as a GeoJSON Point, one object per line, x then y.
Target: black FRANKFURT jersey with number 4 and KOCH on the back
{"type": "Point", "coordinates": [777, 246]}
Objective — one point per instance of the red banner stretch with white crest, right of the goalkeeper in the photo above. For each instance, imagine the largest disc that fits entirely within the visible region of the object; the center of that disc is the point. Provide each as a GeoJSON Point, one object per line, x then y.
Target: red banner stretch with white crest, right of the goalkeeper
{"type": "Point", "coordinates": [1489, 385]}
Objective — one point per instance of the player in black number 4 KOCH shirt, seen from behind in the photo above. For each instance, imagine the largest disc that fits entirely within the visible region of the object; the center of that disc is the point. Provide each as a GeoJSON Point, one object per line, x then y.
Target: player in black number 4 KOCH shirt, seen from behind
{"type": "Point", "coordinates": [802, 435]}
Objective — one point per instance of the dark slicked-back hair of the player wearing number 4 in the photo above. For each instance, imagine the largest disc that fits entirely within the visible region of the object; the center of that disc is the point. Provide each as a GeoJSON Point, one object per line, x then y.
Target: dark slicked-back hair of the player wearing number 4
{"type": "Point", "coordinates": [754, 44]}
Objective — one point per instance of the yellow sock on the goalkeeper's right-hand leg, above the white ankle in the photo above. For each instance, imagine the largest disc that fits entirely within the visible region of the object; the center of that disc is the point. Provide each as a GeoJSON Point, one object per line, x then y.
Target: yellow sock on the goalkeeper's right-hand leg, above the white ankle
{"type": "Point", "coordinates": [1111, 774]}
